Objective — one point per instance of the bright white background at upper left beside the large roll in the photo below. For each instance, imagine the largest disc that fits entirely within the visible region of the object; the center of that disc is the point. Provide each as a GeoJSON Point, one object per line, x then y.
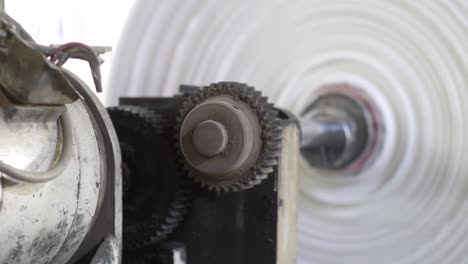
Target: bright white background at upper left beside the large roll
{"type": "Point", "coordinates": [59, 21]}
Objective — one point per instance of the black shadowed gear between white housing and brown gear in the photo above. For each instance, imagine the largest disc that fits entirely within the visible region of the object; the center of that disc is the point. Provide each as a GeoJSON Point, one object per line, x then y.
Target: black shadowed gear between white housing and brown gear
{"type": "Point", "coordinates": [156, 194]}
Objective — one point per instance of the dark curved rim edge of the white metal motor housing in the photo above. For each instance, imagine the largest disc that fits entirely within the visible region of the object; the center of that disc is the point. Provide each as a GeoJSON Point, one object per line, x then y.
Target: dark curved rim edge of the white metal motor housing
{"type": "Point", "coordinates": [108, 220]}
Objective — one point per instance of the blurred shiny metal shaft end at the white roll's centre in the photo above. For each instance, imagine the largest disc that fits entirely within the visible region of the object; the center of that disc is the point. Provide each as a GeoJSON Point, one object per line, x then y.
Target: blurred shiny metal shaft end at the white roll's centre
{"type": "Point", "coordinates": [335, 132]}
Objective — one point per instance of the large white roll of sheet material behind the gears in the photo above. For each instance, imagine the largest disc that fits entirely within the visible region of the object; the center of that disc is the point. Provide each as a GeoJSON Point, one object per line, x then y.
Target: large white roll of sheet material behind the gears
{"type": "Point", "coordinates": [408, 204]}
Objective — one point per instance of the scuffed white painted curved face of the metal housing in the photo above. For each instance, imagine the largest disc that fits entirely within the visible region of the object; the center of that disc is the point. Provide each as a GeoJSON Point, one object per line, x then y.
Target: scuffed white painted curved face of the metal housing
{"type": "Point", "coordinates": [40, 221]}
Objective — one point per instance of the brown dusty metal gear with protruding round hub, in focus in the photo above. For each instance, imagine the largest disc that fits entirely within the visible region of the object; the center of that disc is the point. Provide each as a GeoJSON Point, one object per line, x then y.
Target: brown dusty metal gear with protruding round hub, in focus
{"type": "Point", "coordinates": [228, 136]}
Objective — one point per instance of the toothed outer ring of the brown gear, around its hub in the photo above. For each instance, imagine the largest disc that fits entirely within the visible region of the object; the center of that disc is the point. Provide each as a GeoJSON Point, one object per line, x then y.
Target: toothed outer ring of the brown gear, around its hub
{"type": "Point", "coordinates": [271, 133]}
